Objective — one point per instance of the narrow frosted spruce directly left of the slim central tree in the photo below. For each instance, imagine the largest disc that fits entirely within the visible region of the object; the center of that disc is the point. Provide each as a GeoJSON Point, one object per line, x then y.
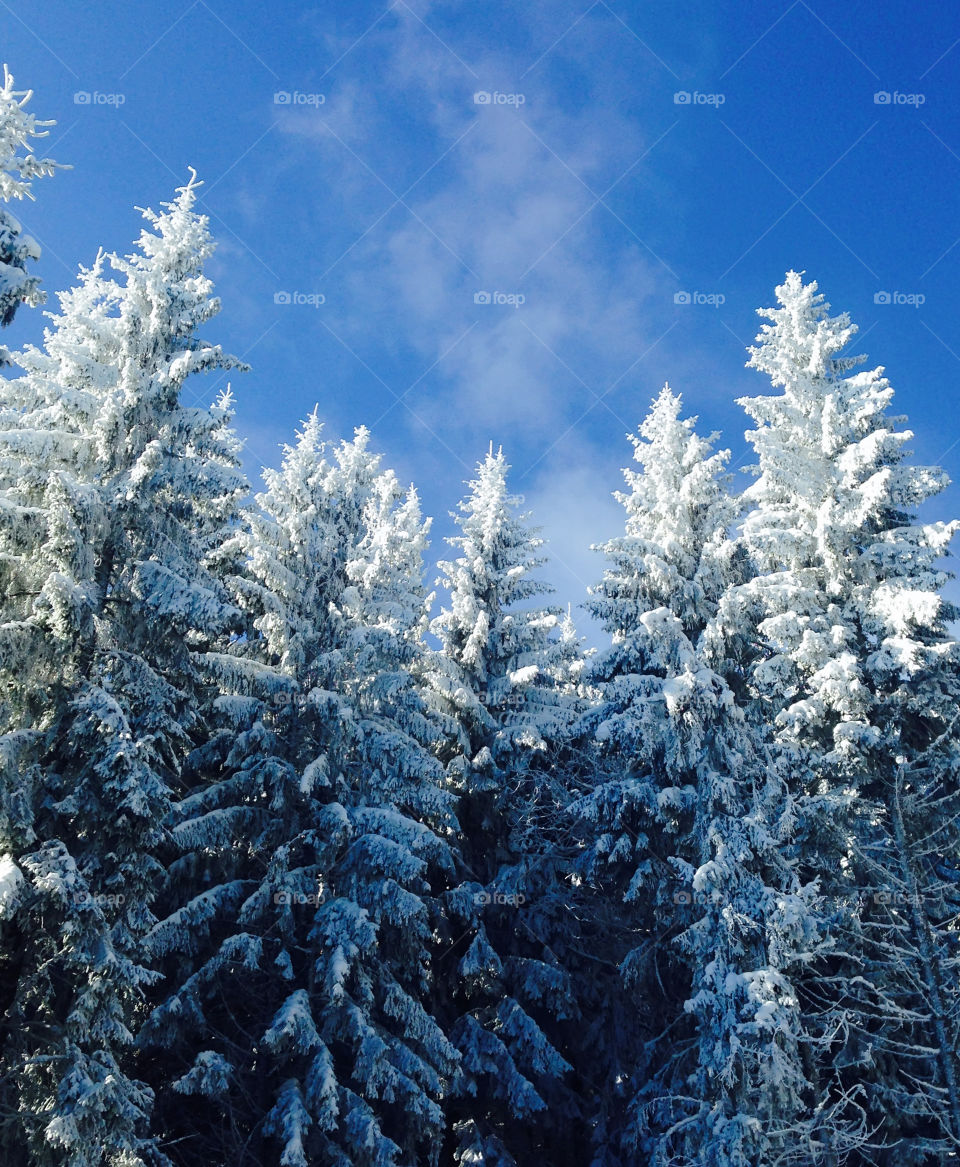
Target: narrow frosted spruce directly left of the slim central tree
{"type": "Point", "coordinates": [398, 857]}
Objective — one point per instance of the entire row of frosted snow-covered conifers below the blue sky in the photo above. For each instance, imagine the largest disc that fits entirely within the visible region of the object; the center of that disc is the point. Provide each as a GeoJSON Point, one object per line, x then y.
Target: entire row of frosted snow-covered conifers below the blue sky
{"type": "Point", "coordinates": [295, 875]}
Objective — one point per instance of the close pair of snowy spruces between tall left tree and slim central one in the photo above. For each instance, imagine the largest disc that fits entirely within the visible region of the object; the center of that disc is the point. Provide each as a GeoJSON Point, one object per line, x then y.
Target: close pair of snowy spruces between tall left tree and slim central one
{"type": "Point", "coordinates": [299, 1026]}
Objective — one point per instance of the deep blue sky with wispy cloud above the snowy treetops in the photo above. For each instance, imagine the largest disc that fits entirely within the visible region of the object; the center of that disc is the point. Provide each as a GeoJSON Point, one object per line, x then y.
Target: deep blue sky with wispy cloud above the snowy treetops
{"type": "Point", "coordinates": [349, 153]}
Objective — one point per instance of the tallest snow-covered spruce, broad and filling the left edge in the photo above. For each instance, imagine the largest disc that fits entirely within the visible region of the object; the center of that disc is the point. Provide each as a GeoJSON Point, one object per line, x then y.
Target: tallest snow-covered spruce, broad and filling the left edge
{"type": "Point", "coordinates": [116, 497]}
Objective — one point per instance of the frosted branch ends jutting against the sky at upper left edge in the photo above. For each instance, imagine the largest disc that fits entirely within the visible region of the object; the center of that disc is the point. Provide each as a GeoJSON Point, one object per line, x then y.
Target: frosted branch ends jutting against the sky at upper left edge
{"type": "Point", "coordinates": [18, 171]}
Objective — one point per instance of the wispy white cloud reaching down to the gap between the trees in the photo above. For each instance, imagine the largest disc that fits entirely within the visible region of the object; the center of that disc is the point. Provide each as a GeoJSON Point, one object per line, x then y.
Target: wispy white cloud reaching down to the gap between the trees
{"type": "Point", "coordinates": [503, 211]}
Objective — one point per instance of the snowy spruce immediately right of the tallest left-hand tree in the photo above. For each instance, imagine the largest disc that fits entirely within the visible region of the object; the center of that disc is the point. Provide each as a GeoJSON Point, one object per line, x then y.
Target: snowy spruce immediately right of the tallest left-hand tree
{"type": "Point", "coordinates": [249, 836]}
